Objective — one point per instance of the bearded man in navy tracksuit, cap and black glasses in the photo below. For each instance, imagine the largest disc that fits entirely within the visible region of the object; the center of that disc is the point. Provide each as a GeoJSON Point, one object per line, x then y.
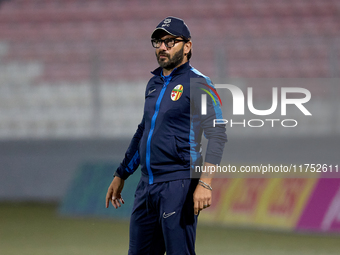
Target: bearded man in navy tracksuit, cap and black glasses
{"type": "Point", "coordinates": [167, 145]}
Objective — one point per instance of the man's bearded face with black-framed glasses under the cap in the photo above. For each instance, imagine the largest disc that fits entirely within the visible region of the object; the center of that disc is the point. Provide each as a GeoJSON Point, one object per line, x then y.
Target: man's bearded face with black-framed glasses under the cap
{"type": "Point", "coordinates": [169, 58]}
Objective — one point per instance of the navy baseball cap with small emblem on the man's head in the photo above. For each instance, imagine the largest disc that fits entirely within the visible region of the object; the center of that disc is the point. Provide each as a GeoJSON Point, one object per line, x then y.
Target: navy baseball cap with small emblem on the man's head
{"type": "Point", "coordinates": [173, 26]}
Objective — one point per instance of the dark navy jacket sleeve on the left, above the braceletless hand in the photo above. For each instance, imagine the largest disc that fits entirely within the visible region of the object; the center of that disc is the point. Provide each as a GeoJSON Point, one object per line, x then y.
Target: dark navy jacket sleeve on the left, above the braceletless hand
{"type": "Point", "coordinates": [132, 159]}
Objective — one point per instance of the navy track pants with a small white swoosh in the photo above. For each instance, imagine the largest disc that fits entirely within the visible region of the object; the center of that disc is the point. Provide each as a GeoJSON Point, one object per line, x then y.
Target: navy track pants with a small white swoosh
{"type": "Point", "coordinates": [163, 219]}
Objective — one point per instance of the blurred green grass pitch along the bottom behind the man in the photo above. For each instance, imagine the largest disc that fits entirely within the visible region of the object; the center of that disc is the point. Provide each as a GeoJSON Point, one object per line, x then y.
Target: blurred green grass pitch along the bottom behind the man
{"type": "Point", "coordinates": [36, 229]}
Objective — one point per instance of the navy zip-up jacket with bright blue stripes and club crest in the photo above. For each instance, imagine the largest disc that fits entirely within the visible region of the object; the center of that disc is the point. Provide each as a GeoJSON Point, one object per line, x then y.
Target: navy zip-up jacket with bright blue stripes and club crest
{"type": "Point", "coordinates": [167, 143]}
